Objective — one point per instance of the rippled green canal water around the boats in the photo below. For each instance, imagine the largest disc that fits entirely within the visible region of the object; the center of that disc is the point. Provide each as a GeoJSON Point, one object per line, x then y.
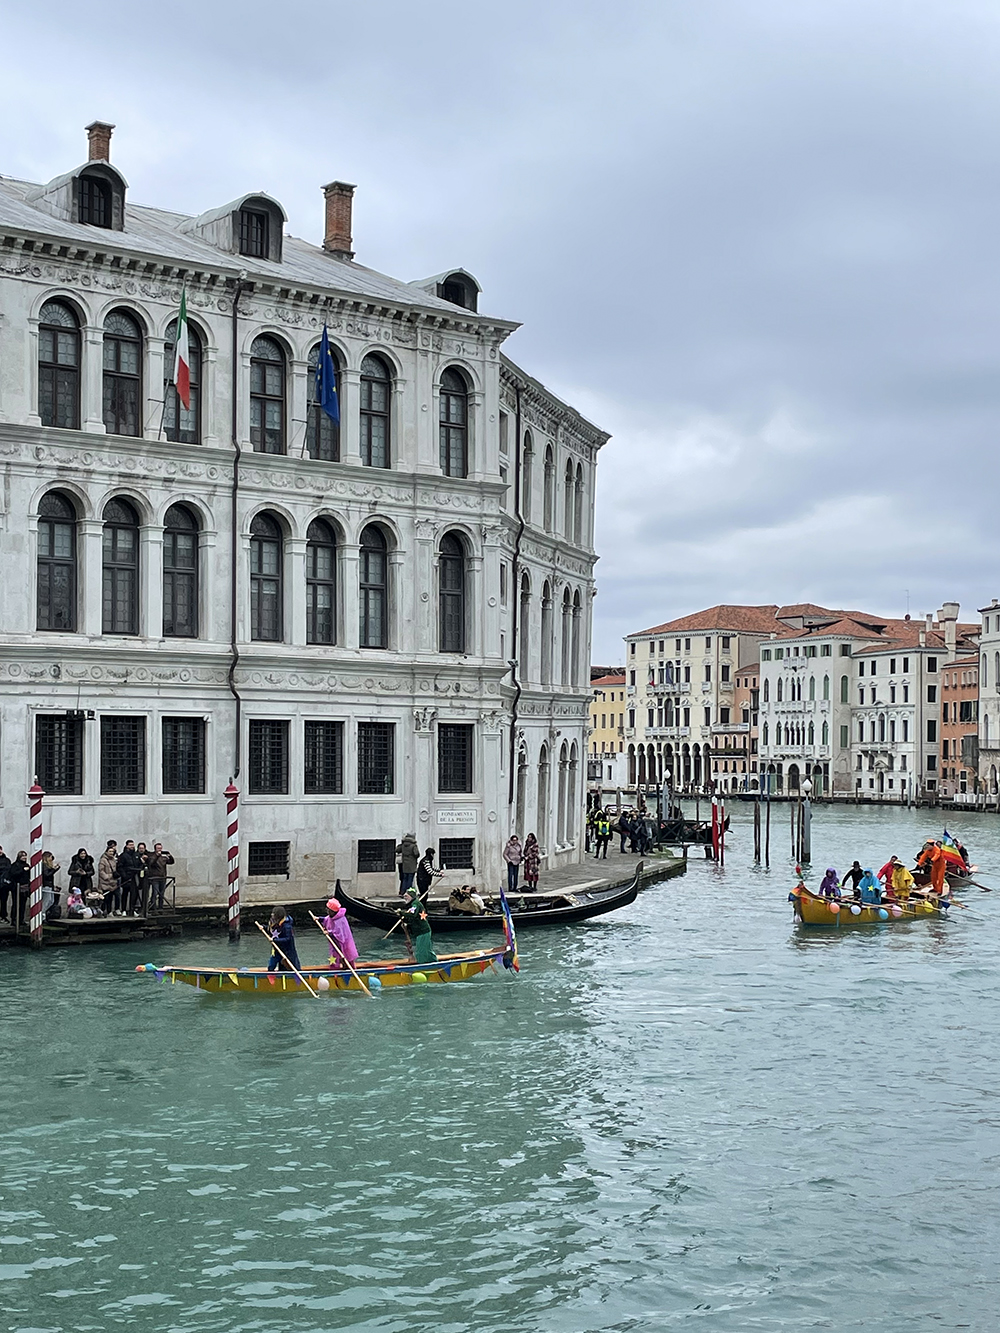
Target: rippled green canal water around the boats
{"type": "Point", "coordinates": [686, 1115]}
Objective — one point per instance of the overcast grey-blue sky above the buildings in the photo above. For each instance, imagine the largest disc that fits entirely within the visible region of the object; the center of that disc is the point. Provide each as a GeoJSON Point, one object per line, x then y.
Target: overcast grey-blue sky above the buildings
{"type": "Point", "coordinates": [755, 242]}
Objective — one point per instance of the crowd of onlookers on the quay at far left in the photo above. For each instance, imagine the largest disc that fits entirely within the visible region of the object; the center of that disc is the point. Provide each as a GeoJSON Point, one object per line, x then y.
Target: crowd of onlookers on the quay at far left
{"type": "Point", "coordinates": [127, 883]}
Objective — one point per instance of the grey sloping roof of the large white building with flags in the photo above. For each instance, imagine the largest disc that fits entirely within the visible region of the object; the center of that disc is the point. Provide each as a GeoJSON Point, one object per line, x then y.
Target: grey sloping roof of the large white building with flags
{"type": "Point", "coordinates": [159, 234]}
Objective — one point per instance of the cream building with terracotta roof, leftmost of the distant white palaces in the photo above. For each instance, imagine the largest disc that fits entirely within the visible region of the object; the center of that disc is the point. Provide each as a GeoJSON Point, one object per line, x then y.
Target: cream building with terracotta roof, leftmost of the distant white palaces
{"type": "Point", "coordinates": [682, 690]}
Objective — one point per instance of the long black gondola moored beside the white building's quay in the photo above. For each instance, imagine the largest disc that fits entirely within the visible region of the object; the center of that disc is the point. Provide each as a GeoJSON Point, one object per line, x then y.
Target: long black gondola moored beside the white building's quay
{"type": "Point", "coordinates": [526, 908]}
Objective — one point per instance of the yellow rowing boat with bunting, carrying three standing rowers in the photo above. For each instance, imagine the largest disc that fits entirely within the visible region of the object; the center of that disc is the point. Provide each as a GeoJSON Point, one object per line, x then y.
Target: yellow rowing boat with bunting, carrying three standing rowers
{"type": "Point", "coordinates": [393, 972]}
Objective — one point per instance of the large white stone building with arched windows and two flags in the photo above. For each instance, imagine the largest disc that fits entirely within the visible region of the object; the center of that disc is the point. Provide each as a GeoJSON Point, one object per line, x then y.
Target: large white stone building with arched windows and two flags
{"type": "Point", "coordinates": [327, 615]}
